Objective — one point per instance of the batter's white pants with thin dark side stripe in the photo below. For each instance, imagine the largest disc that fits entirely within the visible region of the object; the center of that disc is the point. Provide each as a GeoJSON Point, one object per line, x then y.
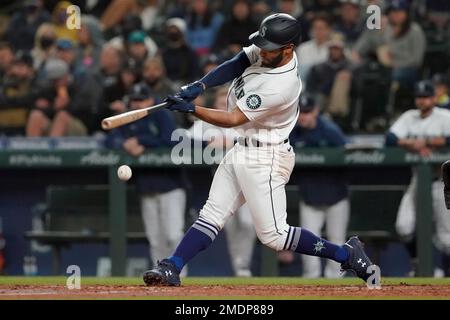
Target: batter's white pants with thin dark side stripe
{"type": "Point", "coordinates": [256, 176]}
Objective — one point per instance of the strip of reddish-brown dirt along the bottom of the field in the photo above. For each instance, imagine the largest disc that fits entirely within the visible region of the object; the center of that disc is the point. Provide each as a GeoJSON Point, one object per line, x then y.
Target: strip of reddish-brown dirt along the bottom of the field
{"type": "Point", "coordinates": [232, 291]}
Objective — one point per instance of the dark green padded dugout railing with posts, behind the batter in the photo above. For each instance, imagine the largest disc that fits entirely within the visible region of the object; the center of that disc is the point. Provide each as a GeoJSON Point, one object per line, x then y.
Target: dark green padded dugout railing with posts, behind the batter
{"type": "Point", "coordinates": [323, 157]}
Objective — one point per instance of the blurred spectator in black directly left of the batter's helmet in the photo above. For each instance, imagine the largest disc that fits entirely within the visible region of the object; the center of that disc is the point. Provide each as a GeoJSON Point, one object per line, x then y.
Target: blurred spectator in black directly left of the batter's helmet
{"type": "Point", "coordinates": [235, 30]}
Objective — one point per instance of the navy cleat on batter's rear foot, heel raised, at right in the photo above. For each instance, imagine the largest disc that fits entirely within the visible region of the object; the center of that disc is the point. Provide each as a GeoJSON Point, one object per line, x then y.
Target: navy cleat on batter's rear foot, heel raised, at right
{"type": "Point", "coordinates": [358, 262]}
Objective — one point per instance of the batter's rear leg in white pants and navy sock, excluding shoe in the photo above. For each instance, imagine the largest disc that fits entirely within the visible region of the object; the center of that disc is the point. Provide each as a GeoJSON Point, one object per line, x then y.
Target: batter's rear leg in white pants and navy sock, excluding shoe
{"type": "Point", "coordinates": [263, 182]}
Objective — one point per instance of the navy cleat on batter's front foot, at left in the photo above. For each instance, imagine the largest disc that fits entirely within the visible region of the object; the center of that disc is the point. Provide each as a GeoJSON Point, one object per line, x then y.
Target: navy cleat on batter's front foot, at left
{"type": "Point", "coordinates": [165, 274]}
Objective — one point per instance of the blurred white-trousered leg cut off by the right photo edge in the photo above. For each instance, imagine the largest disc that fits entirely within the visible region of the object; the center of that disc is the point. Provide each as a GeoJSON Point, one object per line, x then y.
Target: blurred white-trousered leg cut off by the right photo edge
{"type": "Point", "coordinates": [442, 220]}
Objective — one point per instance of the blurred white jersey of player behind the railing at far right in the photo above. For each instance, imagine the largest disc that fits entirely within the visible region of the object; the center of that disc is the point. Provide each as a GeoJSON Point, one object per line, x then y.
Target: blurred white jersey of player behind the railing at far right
{"type": "Point", "coordinates": [411, 125]}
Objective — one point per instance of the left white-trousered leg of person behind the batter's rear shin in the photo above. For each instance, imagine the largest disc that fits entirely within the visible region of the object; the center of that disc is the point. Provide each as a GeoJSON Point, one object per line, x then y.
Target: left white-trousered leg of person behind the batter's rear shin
{"type": "Point", "coordinates": [311, 218]}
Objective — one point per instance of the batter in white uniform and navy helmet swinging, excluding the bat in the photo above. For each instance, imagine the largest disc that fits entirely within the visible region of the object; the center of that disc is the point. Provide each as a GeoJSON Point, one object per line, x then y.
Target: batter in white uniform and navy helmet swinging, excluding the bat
{"type": "Point", "coordinates": [263, 108]}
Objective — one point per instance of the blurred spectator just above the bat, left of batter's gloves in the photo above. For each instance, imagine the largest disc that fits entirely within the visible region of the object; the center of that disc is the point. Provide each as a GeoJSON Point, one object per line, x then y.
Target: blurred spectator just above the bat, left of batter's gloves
{"type": "Point", "coordinates": [154, 75]}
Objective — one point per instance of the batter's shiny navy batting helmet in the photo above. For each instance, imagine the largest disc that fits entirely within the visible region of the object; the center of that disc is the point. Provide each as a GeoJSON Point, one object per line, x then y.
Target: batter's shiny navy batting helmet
{"type": "Point", "coordinates": [276, 31]}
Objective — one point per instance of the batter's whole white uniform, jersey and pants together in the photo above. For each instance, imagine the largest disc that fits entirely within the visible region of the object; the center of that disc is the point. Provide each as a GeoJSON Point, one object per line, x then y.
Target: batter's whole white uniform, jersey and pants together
{"type": "Point", "coordinates": [257, 175]}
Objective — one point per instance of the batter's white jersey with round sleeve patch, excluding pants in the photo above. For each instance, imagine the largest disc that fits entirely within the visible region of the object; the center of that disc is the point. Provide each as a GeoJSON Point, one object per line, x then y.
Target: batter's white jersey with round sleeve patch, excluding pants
{"type": "Point", "coordinates": [268, 97]}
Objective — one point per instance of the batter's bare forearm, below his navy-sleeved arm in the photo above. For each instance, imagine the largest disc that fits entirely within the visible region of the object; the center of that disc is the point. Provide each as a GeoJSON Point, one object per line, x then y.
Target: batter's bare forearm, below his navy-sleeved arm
{"type": "Point", "coordinates": [221, 118]}
